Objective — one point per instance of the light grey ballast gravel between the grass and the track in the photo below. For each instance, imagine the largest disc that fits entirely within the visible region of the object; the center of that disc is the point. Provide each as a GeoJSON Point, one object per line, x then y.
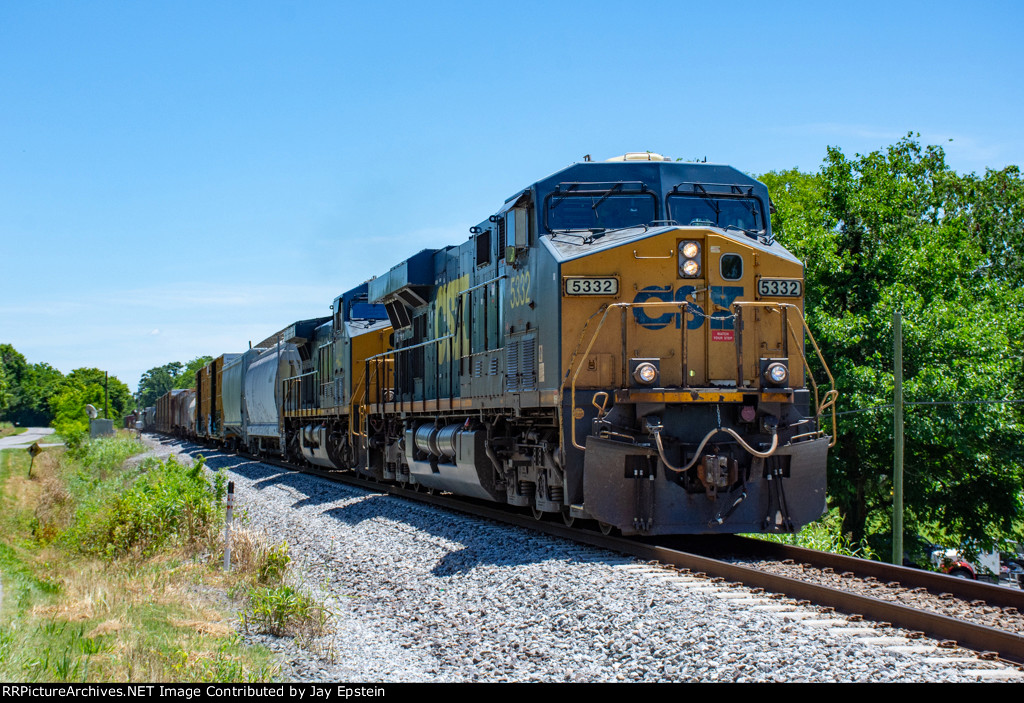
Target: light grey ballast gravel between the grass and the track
{"type": "Point", "coordinates": [419, 594]}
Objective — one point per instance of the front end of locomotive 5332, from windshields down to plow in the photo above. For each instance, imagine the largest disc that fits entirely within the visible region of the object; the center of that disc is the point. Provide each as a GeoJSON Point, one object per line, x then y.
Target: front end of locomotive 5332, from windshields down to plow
{"type": "Point", "coordinates": [685, 401]}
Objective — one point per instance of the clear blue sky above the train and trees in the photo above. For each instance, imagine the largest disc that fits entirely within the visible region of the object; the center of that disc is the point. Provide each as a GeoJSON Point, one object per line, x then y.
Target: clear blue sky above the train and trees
{"type": "Point", "coordinates": [179, 179]}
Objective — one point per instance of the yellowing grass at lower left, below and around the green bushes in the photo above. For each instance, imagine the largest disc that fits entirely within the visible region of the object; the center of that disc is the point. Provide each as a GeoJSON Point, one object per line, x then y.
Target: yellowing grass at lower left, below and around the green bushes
{"type": "Point", "coordinates": [69, 617]}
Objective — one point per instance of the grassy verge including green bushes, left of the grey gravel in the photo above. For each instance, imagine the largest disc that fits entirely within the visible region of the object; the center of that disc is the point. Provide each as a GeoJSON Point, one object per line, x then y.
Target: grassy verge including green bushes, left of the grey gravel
{"type": "Point", "coordinates": [112, 575]}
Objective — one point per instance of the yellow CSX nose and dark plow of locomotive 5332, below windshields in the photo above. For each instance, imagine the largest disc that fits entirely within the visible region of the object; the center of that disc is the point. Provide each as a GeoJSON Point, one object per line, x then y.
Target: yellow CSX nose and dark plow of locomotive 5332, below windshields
{"type": "Point", "coordinates": [693, 357]}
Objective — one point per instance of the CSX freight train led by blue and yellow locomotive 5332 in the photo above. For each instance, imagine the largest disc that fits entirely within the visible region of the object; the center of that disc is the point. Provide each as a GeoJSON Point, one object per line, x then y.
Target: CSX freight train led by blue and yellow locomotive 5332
{"type": "Point", "coordinates": [620, 342]}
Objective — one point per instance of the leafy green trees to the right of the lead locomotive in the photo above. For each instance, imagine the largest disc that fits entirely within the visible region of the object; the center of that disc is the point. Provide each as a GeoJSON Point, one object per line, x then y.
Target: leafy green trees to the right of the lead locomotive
{"type": "Point", "coordinates": [899, 230]}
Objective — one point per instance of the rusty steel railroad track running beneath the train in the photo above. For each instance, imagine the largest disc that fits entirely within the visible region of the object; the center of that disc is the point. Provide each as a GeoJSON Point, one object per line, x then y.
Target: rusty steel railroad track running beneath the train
{"type": "Point", "coordinates": [956, 612]}
